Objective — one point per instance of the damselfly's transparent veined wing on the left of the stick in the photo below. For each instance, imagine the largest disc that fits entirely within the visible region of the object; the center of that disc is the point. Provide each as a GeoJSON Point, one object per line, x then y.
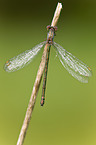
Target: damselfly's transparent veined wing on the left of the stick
{"type": "Point", "coordinates": [22, 59]}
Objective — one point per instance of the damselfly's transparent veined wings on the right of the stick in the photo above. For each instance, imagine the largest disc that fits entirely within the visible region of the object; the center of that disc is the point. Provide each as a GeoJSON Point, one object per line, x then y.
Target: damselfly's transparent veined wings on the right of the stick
{"type": "Point", "coordinates": [74, 66]}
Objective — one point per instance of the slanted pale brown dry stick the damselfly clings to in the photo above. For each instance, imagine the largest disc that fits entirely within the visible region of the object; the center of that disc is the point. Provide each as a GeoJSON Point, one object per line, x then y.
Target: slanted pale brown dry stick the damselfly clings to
{"type": "Point", "coordinates": [37, 83]}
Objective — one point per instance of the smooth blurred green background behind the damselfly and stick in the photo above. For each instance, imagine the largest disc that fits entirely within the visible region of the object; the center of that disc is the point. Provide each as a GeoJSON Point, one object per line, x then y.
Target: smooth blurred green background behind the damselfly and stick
{"type": "Point", "coordinates": [69, 114]}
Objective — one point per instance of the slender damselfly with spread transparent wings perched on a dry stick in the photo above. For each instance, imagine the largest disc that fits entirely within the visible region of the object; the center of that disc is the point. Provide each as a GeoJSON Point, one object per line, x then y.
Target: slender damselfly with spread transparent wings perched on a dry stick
{"type": "Point", "coordinates": [74, 66]}
